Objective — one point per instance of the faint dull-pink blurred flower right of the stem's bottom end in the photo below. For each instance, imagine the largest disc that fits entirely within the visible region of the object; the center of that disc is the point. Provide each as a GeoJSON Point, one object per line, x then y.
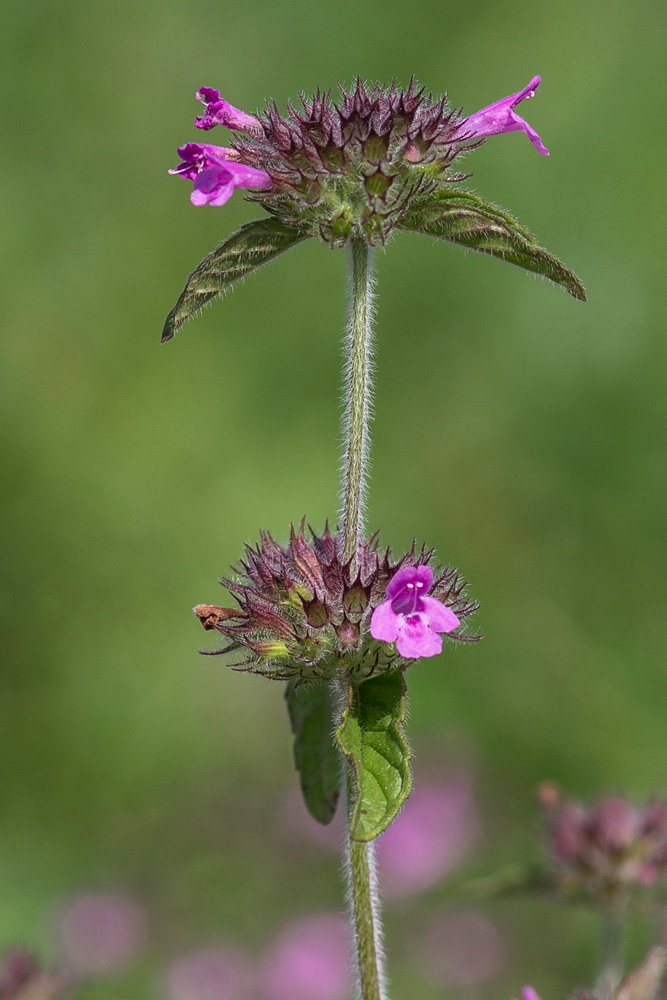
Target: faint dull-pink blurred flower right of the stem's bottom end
{"type": "Point", "coordinates": [463, 948]}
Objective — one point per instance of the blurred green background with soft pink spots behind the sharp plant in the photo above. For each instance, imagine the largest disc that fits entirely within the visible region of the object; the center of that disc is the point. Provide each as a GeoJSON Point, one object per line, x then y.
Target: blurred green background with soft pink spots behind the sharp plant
{"type": "Point", "coordinates": [518, 431]}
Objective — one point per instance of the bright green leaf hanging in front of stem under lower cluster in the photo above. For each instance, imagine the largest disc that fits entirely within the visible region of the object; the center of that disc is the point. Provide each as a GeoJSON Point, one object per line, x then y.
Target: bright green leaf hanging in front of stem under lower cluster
{"type": "Point", "coordinates": [378, 755]}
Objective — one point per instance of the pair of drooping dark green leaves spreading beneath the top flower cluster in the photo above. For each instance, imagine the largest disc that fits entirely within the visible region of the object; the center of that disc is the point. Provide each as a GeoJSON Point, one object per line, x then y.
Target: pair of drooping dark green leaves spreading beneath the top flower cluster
{"type": "Point", "coordinates": [458, 216]}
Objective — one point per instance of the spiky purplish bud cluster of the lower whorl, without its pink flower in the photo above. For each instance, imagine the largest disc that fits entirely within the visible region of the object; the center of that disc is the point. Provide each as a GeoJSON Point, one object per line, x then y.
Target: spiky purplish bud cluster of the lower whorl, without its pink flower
{"type": "Point", "coordinates": [304, 612]}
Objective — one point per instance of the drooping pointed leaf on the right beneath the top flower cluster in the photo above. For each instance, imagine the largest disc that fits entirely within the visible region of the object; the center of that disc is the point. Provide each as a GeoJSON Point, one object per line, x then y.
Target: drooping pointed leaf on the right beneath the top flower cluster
{"type": "Point", "coordinates": [461, 217]}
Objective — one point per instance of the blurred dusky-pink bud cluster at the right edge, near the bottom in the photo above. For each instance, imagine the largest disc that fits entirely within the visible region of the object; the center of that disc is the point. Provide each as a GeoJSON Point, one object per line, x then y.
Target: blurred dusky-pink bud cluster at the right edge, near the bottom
{"type": "Point", "coordinates": [611, 849]}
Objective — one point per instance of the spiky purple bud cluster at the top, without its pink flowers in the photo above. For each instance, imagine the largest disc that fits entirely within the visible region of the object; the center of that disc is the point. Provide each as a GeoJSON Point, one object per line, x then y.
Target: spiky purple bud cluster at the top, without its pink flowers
{"type": "Point", "coordinates": [353, 168]}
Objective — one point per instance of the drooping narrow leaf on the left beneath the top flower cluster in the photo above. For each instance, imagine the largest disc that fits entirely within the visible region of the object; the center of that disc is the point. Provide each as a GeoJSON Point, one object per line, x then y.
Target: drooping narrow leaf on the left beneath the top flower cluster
{"type": "Point", "coordinates": [254, 244]}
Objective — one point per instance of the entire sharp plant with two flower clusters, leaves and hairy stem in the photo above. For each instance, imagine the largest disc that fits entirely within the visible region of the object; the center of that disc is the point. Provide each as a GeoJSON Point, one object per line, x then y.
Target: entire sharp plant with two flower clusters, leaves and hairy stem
{"type": "Point", "coordinates": [334, 616]}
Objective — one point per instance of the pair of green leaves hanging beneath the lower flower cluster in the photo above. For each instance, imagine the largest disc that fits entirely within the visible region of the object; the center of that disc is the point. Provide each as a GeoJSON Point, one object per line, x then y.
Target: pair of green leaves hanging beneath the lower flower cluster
{"type": "Point", "coordinates": [370, 738]}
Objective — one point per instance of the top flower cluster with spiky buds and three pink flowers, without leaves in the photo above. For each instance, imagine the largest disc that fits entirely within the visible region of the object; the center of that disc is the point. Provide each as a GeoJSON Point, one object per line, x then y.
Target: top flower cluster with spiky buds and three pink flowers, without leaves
{"type": "Point", "coordinates": [340, 170]}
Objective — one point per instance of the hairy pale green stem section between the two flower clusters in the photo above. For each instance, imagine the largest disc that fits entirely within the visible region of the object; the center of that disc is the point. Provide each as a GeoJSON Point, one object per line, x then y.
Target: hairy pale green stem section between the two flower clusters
{"type": "Point", "coordinates": [358, 396]}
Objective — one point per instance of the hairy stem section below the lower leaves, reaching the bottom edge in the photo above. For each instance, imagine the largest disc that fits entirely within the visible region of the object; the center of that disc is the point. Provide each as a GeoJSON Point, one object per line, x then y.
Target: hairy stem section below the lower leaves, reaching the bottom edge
{"type": "Point", "coordinates": [365, 918]}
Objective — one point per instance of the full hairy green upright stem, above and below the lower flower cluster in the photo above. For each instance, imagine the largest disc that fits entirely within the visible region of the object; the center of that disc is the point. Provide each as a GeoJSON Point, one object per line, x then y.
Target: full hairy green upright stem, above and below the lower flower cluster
{"type": "Point", "coordinates": [360, 858]}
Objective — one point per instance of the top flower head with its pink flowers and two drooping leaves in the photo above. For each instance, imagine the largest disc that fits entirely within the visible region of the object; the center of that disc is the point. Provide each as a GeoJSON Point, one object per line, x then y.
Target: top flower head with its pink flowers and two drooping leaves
{"type": "Point", "coordinates": [378, 162]}
